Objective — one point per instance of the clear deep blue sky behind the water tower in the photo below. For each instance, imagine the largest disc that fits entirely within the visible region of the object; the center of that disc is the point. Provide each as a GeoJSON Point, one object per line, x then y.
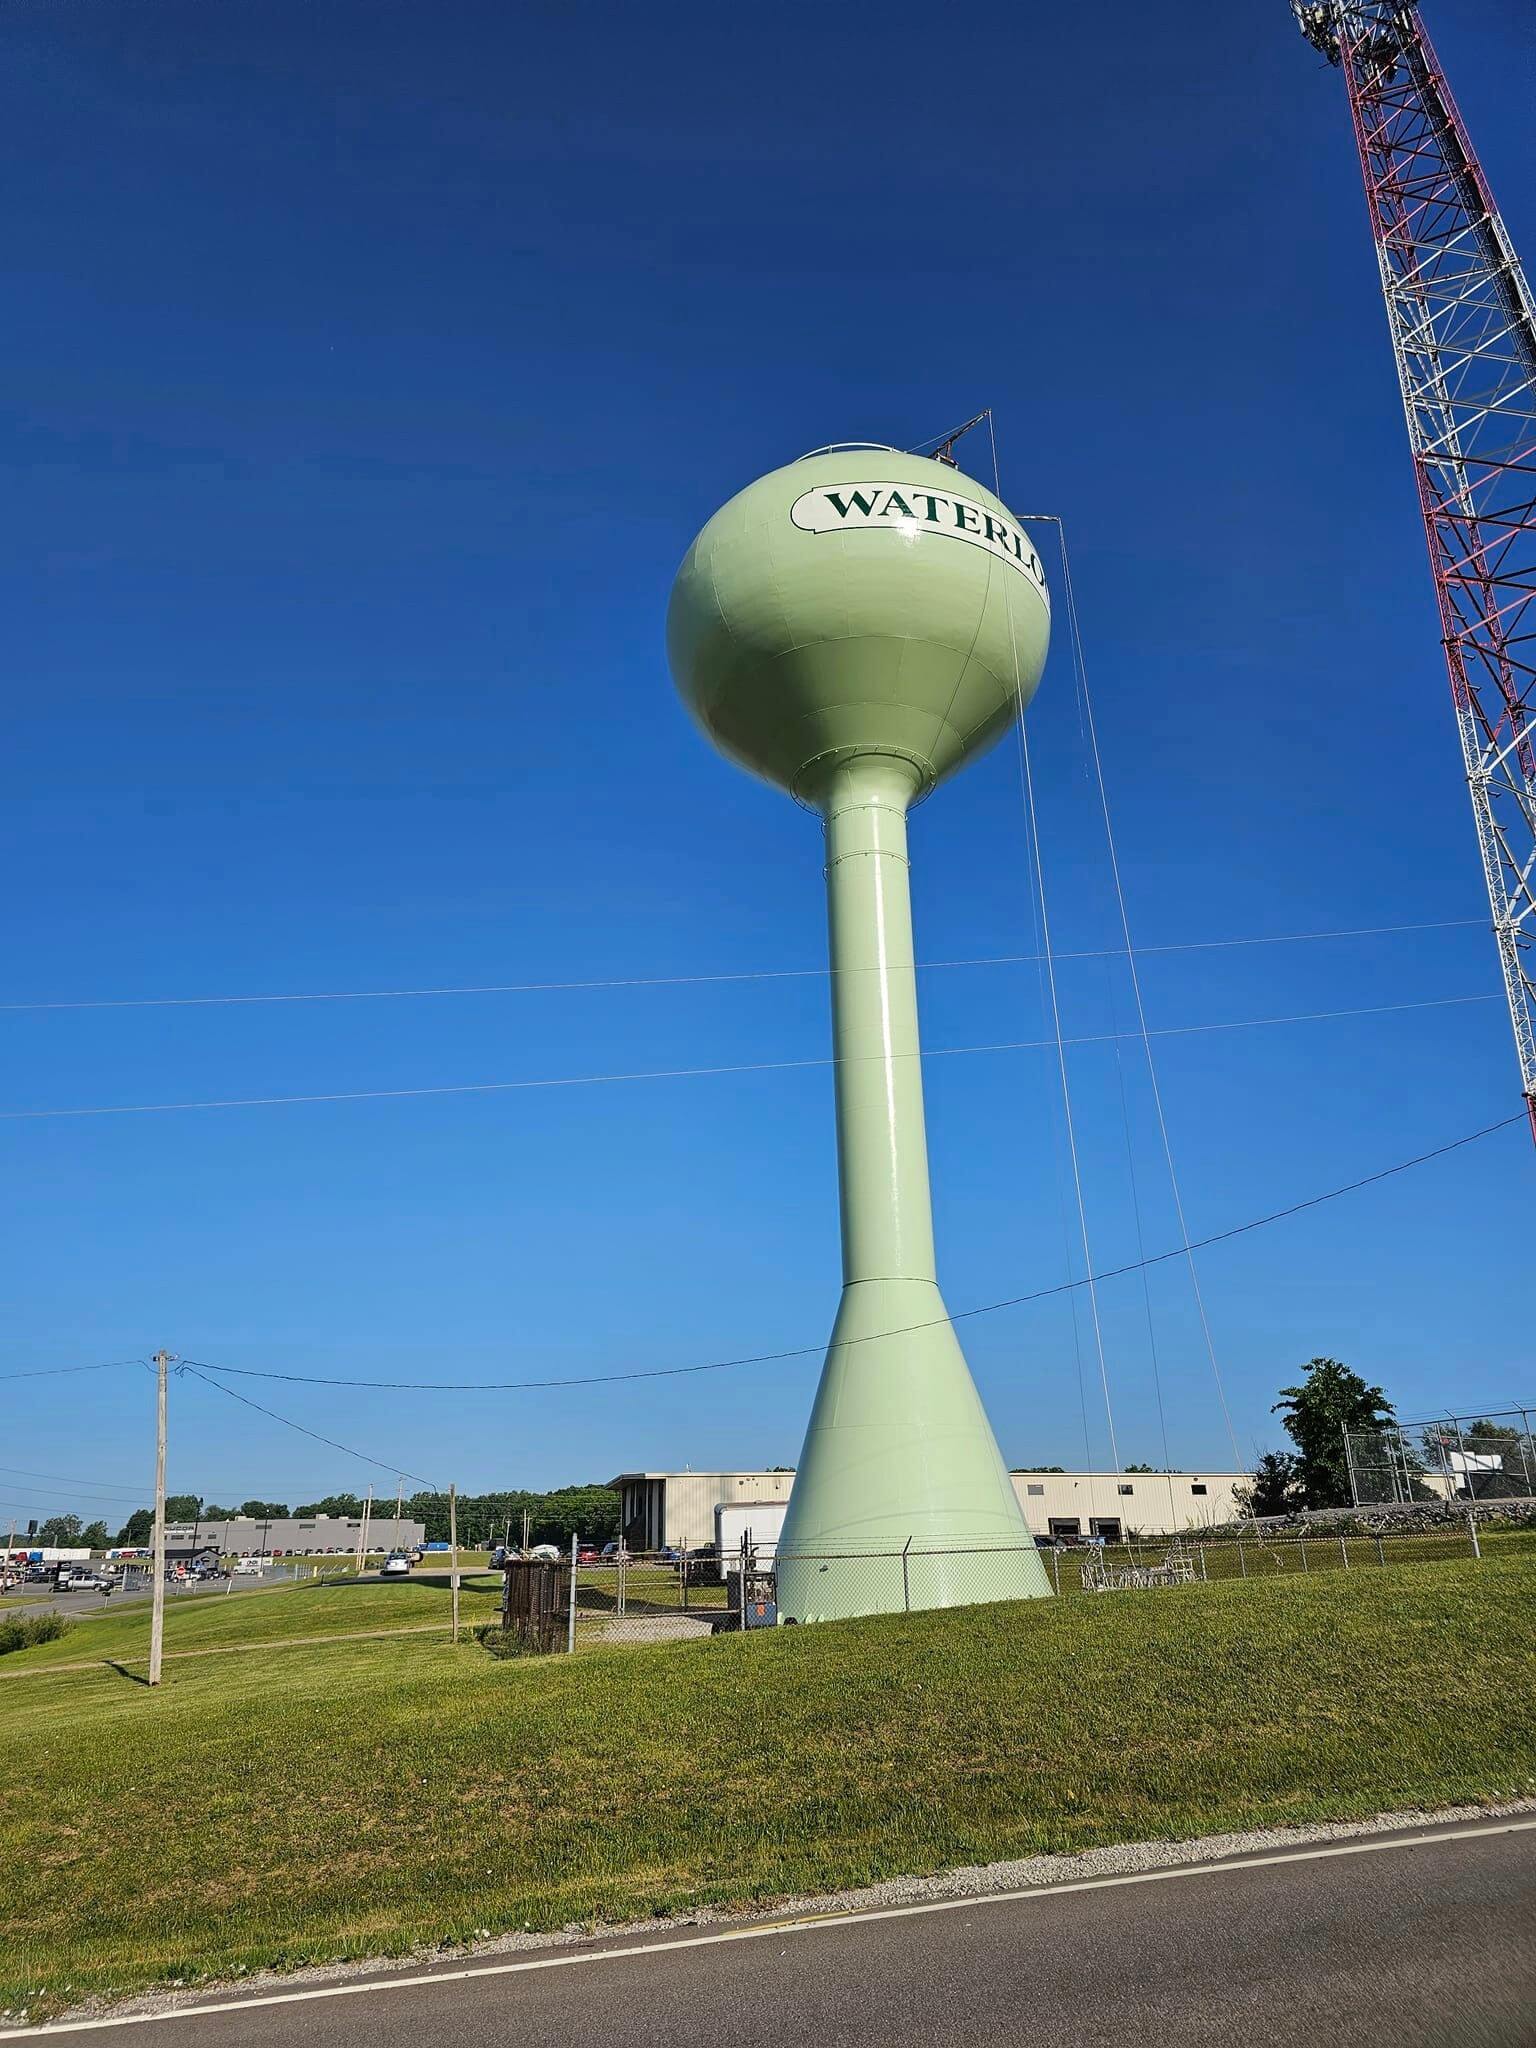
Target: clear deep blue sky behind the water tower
{"type": "Point", "coordinates": [368, 374]}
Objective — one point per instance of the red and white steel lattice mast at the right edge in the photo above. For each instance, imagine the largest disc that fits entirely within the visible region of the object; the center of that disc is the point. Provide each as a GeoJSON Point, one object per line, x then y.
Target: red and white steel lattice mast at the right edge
{"type": "Point", "coordinates": [1465, 341]}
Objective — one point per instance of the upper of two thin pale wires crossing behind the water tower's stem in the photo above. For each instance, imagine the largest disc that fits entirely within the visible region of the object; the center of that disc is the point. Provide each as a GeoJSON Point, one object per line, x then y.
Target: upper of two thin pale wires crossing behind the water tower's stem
{"type": "Point", "coordinates": [679, 982]}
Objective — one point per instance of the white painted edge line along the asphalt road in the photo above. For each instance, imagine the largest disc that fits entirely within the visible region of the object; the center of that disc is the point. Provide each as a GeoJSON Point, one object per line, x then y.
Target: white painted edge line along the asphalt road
{"type": "Point", "coordinates": [800, 1924]}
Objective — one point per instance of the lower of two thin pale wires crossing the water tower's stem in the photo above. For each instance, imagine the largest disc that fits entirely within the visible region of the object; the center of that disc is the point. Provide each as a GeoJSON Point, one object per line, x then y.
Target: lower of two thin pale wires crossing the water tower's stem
{"type": "Point", "coordinates": [697, 1074]}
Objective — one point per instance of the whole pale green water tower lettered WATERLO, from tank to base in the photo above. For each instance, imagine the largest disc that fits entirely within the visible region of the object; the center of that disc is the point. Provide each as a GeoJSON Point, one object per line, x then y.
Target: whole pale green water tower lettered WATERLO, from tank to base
{"type": "Point", "coordinates": [857, 628]}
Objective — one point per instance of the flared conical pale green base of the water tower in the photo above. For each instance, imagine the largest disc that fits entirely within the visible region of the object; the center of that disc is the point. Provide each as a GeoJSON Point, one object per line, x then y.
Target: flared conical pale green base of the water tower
{"type": "Point", "coordinates": [902, 1498]}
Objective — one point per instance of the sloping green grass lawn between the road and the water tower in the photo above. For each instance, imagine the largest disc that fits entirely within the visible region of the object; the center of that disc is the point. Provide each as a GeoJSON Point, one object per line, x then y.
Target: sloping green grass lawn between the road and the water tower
{"type": "Point", "coordinates": [372, 1797]}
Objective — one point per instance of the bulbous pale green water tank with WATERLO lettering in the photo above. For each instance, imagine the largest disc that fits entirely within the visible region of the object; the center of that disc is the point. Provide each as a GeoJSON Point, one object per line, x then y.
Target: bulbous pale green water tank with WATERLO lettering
{"type": "Point", "coordinates": [859, 601]}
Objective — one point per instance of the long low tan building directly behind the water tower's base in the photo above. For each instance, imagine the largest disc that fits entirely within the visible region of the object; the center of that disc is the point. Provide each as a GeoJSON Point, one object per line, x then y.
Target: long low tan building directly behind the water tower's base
{"type": "Point", "coordinates": [677, 1510]}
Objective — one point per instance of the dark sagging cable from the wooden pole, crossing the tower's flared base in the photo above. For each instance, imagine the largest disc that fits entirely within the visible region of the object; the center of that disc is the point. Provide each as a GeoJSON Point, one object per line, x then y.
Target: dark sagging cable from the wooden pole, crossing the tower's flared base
{"type": "Point", "coordinates": [810, 1351]}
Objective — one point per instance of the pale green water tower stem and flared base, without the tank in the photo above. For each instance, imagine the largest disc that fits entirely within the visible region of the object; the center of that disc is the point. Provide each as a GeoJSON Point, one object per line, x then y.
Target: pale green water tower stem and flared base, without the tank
{"type": "Point", "coordinates": [900, 1451]}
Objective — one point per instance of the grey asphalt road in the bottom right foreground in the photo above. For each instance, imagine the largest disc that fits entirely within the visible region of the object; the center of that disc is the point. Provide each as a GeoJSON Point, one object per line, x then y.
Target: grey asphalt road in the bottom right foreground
{"type": "Point", "coordinates": [1402, 1940]}
